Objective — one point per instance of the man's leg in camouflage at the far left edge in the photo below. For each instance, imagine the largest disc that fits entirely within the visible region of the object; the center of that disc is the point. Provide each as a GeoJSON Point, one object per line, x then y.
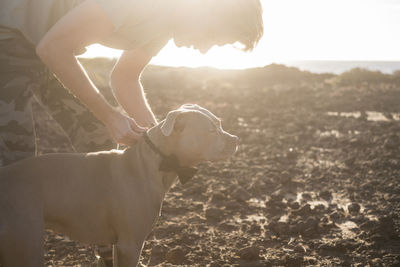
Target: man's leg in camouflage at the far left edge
{"type": "Point", "coordinates": [19, 71]}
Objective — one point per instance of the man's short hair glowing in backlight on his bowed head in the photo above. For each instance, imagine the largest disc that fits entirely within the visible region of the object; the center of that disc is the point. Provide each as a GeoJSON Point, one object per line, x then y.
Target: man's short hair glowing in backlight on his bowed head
{"type": "Point", "coordinates": [246, 21]}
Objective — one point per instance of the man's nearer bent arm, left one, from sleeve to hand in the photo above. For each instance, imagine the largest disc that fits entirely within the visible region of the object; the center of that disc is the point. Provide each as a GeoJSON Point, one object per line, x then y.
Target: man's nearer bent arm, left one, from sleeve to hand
{"type": "Point", "coordinates": [85, 24]}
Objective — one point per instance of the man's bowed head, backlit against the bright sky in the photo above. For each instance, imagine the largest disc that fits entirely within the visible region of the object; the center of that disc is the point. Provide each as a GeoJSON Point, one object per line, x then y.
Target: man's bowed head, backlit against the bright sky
{"type": "Point", "coordinates": [205, 23]}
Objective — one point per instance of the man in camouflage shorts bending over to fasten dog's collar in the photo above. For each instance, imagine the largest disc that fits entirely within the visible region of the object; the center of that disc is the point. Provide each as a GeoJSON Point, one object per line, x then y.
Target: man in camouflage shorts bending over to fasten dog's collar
{"type": "Point", "coordinates": [40, 40]}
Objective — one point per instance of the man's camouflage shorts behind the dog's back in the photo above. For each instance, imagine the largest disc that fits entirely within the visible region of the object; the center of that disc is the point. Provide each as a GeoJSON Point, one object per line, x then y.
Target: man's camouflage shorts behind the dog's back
{"type": "Point", "coordinates": [22, 76]}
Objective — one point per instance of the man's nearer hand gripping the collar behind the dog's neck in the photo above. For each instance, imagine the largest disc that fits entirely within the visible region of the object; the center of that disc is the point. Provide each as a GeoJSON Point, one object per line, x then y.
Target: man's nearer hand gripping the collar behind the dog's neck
{"type": "Point", "coordinates": [123, 130]}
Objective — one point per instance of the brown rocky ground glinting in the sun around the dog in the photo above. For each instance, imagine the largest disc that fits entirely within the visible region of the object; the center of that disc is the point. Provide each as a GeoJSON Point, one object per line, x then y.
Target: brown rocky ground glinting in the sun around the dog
{"type": "Point", "coordinates": [315, 181]}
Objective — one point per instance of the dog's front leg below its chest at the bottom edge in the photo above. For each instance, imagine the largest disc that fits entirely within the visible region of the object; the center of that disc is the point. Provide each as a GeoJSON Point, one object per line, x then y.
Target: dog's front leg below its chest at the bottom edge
{"type": "Point", "coordinates": [127, 253]}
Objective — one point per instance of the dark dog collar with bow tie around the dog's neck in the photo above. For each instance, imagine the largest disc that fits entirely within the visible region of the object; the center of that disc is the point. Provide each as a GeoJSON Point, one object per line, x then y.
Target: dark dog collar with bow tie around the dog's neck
{"type": "Point", "coordinates": [170, 163]}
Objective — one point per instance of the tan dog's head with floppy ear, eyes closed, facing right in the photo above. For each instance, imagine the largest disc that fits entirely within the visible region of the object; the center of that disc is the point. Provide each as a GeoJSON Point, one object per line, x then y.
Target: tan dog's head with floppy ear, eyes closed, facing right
{"type": "Point", "coordinates": [195, 135]}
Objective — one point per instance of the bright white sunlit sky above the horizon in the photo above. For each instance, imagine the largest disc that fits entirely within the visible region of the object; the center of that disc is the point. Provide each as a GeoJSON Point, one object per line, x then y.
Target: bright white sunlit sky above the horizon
{"type": "Point", "coordinates": [352, 30]}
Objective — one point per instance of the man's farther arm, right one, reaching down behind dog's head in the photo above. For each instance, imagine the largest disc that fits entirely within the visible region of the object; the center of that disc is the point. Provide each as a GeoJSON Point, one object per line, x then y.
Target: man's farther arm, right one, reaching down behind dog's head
{"type": "Point", "coordinates": [125, 81]}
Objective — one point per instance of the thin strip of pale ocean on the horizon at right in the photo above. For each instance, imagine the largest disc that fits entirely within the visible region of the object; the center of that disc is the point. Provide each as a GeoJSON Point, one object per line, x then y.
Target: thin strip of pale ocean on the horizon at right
{"type": "Point", "coordinates": [338, 67]}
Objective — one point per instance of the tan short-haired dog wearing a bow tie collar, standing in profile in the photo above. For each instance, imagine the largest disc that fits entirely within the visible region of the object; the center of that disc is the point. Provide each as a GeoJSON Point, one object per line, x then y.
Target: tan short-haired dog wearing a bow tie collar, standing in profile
{"type": "Point", "coordinates": [108, 197]}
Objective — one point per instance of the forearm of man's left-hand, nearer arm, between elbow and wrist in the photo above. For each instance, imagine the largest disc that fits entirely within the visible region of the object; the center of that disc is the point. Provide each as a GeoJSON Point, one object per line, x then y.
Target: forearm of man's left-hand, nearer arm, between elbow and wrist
{"type": "Point", "coordinates": [71, 74]}
